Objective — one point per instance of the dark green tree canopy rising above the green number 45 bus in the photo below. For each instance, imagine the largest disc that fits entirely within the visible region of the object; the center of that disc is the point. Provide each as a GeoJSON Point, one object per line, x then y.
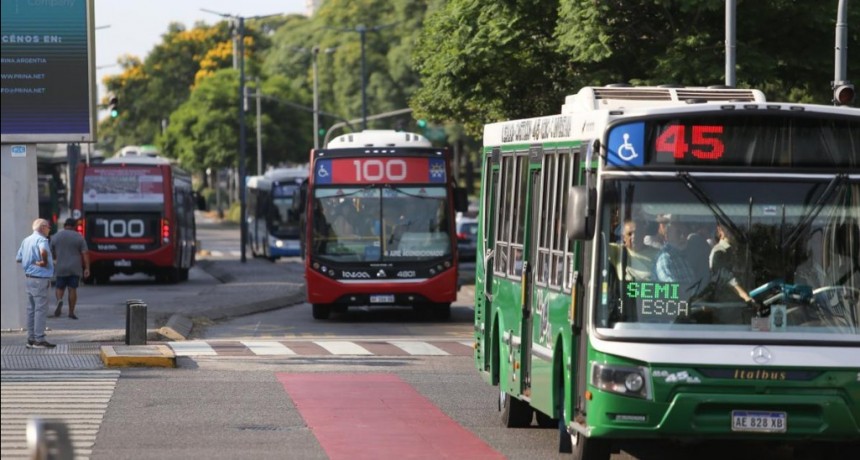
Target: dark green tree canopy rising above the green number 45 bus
{"type": "Point", "coordinates": [487, 60]}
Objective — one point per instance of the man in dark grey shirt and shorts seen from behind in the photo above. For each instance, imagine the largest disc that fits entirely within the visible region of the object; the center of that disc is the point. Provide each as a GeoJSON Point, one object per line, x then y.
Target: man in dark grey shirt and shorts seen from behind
{"type": "Point", "coordinates": [72, 263]}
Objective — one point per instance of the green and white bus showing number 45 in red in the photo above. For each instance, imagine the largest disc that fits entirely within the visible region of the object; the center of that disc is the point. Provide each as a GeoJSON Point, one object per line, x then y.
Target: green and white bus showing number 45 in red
{"type": "Point", "coordinates": [673, 264]}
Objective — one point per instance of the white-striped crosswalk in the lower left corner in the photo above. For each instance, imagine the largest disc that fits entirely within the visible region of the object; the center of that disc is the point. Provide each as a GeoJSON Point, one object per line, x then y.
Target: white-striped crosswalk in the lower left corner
{"type": "Point", "coordinates": [77, 398]}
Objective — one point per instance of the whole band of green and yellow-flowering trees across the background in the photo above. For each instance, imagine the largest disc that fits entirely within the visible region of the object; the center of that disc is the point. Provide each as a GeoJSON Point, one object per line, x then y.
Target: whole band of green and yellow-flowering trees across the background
{"type": "Point", "coordinates": [459, 64]}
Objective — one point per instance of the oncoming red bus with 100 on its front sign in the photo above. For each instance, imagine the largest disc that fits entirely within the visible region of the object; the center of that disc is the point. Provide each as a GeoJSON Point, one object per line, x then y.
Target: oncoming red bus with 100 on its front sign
{"type": "Point", "coordinates": [380, 224]}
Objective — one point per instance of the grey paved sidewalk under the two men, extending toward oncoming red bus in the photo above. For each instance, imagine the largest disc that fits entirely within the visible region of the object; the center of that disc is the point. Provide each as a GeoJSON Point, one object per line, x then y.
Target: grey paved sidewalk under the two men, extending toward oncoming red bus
{"type": "Point", "coordinates": [226, 288]}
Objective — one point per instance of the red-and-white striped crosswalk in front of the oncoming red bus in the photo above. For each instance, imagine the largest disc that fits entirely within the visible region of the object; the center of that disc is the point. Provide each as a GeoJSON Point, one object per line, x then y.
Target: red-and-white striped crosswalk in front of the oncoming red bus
{"type": "Point", "coordinates": [322, 348]}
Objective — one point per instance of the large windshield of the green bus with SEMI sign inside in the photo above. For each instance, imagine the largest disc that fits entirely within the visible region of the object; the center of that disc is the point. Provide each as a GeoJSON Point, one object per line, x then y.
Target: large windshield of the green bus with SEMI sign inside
{"type": "Point", "coordinates": [721, 258]}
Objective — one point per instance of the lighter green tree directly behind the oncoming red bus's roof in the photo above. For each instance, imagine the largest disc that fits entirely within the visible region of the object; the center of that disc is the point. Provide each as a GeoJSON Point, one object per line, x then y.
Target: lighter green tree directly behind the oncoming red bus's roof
{"type": "Point", "coordinates": [388, 52]}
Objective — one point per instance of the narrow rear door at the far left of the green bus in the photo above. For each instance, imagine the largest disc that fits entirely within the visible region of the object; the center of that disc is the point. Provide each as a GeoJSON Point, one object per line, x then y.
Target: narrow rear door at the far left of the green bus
{"type": "Point", "coordinates": [484, 266]}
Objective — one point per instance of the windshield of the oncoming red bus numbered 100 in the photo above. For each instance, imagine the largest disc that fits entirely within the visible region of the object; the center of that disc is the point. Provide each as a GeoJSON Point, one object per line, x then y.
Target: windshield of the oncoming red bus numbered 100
{"type": "Point", "coordinates": [381, 224]}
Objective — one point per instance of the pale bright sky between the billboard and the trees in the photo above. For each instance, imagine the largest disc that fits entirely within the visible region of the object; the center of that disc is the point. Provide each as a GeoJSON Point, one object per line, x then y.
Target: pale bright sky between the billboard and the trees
{"type": "Point", "coordinates": [136, 26]}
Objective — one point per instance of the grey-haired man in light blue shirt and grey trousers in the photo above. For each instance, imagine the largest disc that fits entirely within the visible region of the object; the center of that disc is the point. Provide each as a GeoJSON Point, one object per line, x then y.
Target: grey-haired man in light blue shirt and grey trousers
{"type": "Point", "coordinates": [35, 256]}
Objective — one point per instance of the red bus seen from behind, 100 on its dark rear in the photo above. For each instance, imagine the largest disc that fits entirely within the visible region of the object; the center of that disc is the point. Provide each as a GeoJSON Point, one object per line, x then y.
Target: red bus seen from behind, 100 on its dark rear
{"type": "Point", "coordinates": [137, 216]}
